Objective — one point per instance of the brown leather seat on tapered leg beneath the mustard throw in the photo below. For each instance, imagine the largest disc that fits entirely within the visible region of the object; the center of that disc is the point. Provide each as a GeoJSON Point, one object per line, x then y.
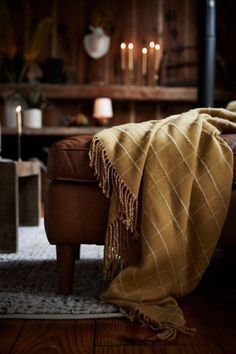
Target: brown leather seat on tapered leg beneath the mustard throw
{"type": "Point", "coordinates": [76, 210]}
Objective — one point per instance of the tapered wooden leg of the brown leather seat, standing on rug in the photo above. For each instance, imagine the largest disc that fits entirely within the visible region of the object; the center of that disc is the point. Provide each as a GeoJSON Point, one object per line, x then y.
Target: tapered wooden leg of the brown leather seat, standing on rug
{"type": "Point", "coordinates": [65, 268]}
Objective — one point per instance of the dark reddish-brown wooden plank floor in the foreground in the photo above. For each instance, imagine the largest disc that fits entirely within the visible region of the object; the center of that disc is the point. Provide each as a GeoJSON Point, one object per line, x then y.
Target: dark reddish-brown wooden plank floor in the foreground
{"type": "Point", "coordinates": [211, 309]}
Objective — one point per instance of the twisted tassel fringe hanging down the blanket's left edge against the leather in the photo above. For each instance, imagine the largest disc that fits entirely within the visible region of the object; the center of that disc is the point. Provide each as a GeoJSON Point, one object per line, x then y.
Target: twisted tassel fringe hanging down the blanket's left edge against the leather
{"type": "Point", "coordinates": [116, 238]}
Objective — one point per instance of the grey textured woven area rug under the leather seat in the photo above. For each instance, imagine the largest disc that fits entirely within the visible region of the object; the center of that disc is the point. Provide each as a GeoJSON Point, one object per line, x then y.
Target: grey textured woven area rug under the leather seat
{"type": "Point", "coordinates": [28, 286]}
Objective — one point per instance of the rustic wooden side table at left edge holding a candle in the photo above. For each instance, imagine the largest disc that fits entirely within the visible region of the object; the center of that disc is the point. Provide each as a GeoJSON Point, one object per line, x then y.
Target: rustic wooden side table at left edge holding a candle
{"type": "Point", "coordinates": [19, 200]}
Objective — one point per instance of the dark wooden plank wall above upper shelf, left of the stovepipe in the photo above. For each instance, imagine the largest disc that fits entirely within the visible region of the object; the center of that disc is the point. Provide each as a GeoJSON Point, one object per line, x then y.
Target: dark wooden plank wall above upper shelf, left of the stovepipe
{"type": "Point", "coordinates": [170, 23]}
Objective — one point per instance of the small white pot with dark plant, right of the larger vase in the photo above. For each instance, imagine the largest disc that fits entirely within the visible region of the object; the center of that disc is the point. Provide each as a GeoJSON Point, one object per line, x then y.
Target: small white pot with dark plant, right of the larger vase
{"type": "Point", "coordinates": [36, 102]}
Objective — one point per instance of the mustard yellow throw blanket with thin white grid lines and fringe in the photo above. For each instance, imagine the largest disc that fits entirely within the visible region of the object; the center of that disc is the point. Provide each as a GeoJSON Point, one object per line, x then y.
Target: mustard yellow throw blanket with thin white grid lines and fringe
{"type": "Point", "coordinates": [169, 183]}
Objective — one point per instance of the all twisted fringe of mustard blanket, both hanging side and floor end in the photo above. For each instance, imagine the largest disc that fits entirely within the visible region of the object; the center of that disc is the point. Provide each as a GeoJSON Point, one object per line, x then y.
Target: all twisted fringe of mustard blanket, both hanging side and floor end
{"type": "Point", "coordinates": [117, 237]}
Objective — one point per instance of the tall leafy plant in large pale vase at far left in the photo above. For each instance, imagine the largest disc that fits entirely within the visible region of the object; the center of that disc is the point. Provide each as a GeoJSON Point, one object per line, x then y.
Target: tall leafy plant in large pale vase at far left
{"type": "Point", "coordinates": [17, 68]}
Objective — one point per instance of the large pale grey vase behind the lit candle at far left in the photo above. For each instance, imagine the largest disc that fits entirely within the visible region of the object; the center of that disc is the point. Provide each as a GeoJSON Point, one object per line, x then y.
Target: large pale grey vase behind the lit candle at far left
{"type": "Point", "coordinates": [11, 101]}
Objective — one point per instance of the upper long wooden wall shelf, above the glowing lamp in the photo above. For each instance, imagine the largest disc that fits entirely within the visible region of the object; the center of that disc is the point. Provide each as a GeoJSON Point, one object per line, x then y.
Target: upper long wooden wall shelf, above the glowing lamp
{"type": "Point", "coordinates": [123, 92]}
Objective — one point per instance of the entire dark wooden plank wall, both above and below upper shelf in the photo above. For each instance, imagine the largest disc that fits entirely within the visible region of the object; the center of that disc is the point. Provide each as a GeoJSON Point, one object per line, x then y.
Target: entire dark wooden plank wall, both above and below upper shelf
{"type": "Point", "coordinates": [173, 24]}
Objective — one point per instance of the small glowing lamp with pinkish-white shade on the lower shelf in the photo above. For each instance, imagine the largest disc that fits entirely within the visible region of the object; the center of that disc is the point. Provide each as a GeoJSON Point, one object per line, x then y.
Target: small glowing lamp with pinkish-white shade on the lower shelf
{"type": "Point", "coordinates": [102, 110]}
